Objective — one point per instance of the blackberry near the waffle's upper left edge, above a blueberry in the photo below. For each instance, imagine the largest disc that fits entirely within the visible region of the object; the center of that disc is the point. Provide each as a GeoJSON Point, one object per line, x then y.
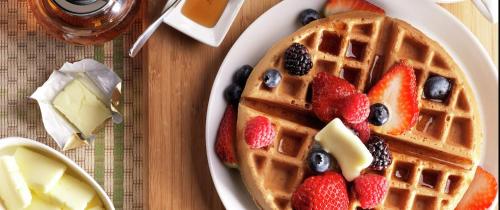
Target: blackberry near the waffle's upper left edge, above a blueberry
{"type": "Point", "coordinates": [298, 60]}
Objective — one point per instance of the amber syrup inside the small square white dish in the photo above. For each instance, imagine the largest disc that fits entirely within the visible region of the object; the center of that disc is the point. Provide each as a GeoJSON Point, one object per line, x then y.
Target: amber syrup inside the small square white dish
{"type": "Point", "coordinates": [204, 12]}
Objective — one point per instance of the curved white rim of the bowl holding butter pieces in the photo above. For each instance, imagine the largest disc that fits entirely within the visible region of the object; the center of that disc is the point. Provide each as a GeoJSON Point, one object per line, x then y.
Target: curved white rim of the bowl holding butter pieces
{"type": "Point", "coordinates": [8, 146]}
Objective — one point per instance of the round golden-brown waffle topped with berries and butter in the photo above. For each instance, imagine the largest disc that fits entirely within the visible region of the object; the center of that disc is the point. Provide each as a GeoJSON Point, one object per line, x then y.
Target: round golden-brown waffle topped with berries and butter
{"type": "Point", "coordinates": [433, 163]}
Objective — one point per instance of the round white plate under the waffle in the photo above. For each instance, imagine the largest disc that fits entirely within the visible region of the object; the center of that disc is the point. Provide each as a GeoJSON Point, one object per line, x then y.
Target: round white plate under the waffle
{"type": "Point", "coordinates": [280, 21]}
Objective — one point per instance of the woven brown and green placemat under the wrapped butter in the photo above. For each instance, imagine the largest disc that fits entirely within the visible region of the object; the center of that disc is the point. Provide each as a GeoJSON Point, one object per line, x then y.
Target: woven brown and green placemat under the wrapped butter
{"type": "Point", "coordinates": [27, 57]}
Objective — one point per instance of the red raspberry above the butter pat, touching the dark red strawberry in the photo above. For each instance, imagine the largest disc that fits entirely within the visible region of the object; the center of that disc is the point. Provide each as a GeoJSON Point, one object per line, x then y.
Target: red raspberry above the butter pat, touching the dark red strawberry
{"type": "Point", "coordinates": [354, 108]}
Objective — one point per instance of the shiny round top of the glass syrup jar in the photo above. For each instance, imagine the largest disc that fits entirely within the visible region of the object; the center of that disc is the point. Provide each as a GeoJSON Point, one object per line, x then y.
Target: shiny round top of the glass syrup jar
{"type": "Point", "coordinates": [82, 7]}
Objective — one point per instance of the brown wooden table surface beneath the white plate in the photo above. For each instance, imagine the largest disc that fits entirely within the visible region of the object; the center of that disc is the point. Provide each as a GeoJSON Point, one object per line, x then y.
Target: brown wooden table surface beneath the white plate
{"type": "Point", "coordinates": [180, 72]}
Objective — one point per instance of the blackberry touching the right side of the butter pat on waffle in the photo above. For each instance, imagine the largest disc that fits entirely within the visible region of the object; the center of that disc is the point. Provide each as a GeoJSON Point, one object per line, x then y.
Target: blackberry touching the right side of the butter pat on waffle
{"type": "Point", "coordinates": [382, 157]}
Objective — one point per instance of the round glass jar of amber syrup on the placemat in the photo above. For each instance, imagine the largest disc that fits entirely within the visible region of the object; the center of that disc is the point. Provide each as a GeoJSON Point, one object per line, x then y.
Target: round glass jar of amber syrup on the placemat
{"type": "Point", "coordinates": [85, 22]}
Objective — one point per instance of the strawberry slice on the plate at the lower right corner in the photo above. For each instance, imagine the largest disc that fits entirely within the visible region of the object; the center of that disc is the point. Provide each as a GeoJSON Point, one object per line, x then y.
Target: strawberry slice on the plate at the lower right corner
{"type": "Point", "coordinates": [481, 192]}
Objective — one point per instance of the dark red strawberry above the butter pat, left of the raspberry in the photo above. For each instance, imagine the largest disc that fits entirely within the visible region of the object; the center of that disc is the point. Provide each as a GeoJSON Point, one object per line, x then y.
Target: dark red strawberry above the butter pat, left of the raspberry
{"type": "Point", "coordinates": [327, 89]}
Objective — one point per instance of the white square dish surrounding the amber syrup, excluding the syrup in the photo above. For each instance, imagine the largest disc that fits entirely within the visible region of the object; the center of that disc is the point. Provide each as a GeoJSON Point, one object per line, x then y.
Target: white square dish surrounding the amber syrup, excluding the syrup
{"type": "Point", "coordinates": [210, 36]}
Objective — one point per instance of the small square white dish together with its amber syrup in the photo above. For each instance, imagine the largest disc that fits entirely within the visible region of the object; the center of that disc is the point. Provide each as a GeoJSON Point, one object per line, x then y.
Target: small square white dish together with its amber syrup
{"type": "Point", "coordinates": [207, 21]}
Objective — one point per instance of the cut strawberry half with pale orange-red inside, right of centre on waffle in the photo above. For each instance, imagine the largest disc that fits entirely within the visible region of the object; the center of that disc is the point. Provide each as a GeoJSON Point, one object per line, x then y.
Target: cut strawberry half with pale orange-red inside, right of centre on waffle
{"type": "Point", "coordinates": [397, 90]}
